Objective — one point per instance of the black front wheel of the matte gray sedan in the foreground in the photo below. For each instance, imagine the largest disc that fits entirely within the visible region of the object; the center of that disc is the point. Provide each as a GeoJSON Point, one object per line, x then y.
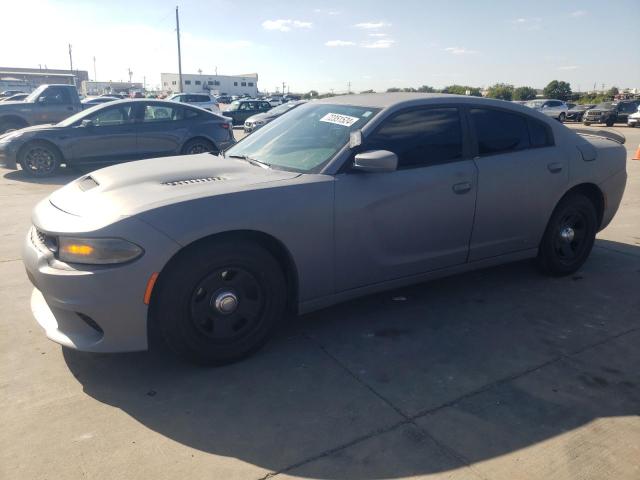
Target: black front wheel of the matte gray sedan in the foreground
{"type": "Point", "coordinates": [218, 302]}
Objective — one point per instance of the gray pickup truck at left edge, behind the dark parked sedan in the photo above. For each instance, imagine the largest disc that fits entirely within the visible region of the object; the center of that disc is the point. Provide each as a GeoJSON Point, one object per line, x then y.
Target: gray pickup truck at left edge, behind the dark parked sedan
{"type": "Point", "coordinates": [46, 104]}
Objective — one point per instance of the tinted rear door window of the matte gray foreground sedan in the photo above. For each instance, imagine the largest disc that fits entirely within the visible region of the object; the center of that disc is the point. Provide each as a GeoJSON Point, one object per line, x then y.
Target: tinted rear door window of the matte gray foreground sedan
{"type": "Point", "coordinates": [498, 131]}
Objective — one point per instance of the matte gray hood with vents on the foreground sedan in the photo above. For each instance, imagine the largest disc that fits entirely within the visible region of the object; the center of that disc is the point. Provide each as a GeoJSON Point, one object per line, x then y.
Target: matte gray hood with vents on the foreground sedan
{"type": "Point", "coordinates": [130, 188]}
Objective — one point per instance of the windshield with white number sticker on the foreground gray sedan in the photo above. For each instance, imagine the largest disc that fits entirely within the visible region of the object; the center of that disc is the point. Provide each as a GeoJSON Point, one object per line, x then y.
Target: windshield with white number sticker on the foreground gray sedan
{"type": "Point", "coordinates": [305, 139]}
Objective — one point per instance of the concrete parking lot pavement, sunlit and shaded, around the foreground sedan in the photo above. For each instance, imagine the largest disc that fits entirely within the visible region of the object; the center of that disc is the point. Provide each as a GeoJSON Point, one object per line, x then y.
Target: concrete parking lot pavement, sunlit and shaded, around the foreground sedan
{"type": "Point", "coordinates": [496, 374]}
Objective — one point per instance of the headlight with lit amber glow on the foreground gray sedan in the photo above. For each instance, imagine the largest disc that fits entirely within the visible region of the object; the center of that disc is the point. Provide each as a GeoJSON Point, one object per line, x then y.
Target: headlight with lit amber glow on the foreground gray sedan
{"type": "Point", "coordinates": [97, 251]}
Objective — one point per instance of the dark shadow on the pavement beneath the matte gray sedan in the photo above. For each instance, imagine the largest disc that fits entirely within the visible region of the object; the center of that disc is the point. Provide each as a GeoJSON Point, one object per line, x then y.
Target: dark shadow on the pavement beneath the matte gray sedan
{"type": "Point", "coordinates": [488, 363]}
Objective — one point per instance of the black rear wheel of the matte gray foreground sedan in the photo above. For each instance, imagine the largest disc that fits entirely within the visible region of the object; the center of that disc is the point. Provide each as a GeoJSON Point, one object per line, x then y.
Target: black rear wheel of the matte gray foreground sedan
{"type": "Point", "coordinates": [569, 237]}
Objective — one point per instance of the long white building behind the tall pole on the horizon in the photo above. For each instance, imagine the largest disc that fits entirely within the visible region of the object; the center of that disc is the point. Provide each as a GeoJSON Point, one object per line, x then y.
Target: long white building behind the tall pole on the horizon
{"type": "Point", "coordinates": [216, 84]}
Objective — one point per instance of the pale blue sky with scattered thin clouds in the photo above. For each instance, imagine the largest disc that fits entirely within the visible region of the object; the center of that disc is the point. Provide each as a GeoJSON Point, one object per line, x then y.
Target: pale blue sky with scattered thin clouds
{"type": "Point", "coordinates": [324, 44]}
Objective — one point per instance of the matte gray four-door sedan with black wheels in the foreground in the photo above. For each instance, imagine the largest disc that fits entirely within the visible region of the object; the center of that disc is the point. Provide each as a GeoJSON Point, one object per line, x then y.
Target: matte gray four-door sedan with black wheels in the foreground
{"type": "Point", "coordinates": [337, 199]}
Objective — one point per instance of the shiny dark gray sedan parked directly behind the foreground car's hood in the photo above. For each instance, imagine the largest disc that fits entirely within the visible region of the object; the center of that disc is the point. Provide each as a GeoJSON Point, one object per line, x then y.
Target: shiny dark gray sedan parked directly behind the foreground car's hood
{"type": "Point", "coordinates": [116, 132]}
